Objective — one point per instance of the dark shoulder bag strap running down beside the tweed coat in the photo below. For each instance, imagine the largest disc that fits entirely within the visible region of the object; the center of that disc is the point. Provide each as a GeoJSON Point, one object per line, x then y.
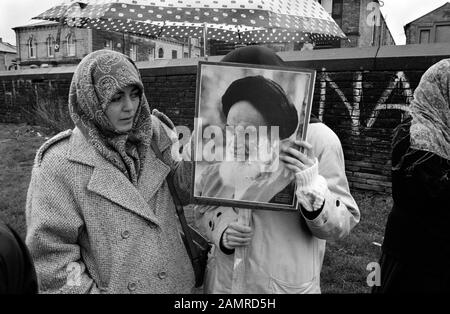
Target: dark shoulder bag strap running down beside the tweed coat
{"type": "Point", "coordinates": [188, 242]}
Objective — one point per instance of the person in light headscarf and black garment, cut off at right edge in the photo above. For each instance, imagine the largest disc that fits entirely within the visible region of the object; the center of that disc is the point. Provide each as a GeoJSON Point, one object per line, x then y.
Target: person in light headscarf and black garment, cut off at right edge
{"type": "Point", "coordinates": [416, 244]}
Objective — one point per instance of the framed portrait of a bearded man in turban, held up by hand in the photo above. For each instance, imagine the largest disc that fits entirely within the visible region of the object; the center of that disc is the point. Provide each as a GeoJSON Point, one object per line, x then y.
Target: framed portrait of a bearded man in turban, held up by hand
{"type": "Point", "coordinates": [244, 114]}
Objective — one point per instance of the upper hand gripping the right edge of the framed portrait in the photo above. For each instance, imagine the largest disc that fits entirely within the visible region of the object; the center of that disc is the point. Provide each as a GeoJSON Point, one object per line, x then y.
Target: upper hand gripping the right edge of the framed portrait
{"type": "Point", "coordinates": [294, 159]}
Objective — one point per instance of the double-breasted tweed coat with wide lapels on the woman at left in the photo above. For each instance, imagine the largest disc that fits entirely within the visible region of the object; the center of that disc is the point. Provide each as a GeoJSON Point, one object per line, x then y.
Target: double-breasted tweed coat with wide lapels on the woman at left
{"type": "Point", "coordinates": [90, 230]}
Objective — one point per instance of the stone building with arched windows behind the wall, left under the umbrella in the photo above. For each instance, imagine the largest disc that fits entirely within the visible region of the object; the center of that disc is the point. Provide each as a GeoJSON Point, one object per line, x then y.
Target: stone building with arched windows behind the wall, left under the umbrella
{"type": "Point", "coordinates": [38, 45]}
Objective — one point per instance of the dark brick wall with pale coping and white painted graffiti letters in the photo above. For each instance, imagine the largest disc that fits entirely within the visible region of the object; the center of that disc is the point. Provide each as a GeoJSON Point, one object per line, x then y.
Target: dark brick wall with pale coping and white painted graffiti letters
{"type": "Point", "coordinates": [362, 94]}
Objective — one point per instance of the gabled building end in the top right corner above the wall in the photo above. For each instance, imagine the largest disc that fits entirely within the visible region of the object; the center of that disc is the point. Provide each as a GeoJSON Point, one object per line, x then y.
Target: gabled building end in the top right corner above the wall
{"type": "Point", "coordinates": [433, 27]}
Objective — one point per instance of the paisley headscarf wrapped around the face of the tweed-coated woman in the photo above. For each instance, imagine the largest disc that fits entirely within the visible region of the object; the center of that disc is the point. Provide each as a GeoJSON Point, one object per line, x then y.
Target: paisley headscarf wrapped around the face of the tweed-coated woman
{"type": "Point", "coordinates": [98, 77]}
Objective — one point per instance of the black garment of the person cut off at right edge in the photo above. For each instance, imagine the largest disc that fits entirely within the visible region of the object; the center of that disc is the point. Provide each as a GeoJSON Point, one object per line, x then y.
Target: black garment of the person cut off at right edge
{"type": "Point", "coordinates": [417, 237]}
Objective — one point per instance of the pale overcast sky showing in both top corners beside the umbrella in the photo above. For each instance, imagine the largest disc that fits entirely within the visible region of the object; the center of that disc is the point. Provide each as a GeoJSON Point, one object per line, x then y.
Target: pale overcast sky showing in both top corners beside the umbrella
{"type": "Point", "coordinates": [397, 12]}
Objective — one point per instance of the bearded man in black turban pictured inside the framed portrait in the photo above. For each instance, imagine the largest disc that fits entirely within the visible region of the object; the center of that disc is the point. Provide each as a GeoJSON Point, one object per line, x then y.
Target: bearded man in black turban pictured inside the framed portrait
{"type": "Point", "coordinates": [259, 119]}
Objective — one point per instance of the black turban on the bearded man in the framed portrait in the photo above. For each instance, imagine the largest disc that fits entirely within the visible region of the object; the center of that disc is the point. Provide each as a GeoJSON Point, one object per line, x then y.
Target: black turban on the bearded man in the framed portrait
{"type": "Point", "coordinates": [268, 98]}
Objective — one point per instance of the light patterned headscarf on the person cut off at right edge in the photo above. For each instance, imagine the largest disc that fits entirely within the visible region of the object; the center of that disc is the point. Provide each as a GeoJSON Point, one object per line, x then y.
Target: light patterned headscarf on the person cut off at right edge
{"type": "Point", "coordinates": [430, 111]}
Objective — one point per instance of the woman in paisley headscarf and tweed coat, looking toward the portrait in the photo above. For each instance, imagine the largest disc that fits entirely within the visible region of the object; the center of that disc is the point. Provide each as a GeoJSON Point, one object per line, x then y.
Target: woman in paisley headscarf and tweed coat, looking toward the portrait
{"type": "Point", "coordinates": [99, 213]}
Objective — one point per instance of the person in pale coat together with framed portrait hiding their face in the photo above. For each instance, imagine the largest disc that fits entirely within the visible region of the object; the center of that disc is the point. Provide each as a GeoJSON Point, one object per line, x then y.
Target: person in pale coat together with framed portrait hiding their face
{"type": "Point", "coordinates": [268, 249]}
